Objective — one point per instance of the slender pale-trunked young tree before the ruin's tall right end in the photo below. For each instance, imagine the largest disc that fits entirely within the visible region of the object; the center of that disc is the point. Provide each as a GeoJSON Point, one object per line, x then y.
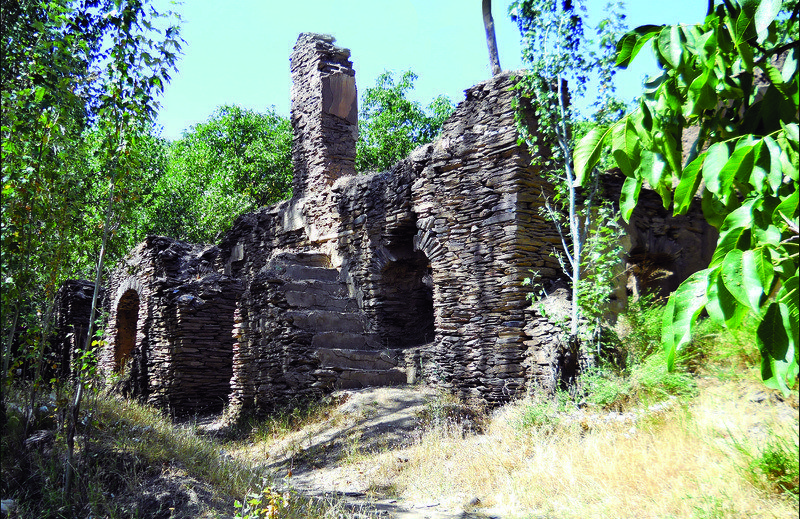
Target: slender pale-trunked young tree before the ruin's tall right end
{"type": "Point", "coordinates": [557, 52]}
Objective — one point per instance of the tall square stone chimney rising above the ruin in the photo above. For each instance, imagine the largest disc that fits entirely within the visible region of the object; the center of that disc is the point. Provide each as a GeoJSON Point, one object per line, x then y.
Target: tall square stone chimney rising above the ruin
{"type": "Point", "coordinates": [324, 113]}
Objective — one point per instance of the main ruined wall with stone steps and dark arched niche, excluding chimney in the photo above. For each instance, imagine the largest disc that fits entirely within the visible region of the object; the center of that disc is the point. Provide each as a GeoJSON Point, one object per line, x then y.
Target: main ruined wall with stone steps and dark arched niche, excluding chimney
{"type": "Point", "coordinates": [427, 257]}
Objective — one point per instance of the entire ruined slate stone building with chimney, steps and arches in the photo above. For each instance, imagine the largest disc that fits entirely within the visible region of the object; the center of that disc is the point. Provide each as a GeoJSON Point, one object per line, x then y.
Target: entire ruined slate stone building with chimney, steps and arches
{"type": "Point", "coordinates": [411, 274]}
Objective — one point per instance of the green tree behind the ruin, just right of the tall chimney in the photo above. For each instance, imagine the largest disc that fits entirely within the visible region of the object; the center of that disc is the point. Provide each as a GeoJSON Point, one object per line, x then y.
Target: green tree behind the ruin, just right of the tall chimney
{"type": "Point", "coordinates": [391, 126]}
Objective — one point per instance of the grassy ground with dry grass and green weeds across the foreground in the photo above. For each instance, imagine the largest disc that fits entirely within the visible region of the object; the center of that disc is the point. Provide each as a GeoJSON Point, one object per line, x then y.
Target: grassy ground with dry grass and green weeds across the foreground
{"type": "Point", "coordinates": [641, 443]}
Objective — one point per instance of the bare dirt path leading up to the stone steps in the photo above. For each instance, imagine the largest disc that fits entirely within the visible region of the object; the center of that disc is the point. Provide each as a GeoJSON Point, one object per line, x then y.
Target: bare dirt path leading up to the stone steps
{"type": "Point", "coordinates": [326, 459]}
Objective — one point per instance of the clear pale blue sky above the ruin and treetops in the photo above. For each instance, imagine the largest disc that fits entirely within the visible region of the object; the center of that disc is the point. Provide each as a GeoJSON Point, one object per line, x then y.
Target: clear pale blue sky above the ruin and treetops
{"type": "Point", "coordinates": [237, 51]}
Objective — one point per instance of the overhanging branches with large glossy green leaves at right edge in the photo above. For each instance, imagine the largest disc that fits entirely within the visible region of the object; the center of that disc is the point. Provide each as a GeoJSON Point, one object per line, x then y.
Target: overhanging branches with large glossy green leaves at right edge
{"type": "Point", "coordinates": [734, 78]}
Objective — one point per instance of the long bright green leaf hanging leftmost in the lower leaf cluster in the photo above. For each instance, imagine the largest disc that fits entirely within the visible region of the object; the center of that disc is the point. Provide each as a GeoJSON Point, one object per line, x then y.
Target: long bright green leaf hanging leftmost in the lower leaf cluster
{"type": "Point", "coordinates": [683, 309]}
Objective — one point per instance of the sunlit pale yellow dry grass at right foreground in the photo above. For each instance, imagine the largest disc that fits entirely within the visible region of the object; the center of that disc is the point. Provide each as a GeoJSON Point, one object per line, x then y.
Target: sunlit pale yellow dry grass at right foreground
{"type": "Point", "coordinates": [684, 462]}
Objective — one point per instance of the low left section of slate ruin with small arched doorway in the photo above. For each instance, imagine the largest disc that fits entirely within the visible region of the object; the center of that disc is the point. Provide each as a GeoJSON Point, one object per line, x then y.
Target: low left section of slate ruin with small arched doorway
{"type": "Point", "coordinates": [179, 356]}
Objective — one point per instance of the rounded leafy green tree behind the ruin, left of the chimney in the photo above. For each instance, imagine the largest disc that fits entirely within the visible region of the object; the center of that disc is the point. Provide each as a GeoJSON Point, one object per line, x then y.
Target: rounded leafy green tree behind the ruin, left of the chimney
{"type": "Point", "coordinates": [237, 161]}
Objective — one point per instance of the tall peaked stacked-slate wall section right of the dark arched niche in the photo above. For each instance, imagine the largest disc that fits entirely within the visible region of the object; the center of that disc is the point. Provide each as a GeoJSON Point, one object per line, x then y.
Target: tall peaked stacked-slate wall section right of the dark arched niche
{"type": "Point", "coordinates": [477, 207]}
